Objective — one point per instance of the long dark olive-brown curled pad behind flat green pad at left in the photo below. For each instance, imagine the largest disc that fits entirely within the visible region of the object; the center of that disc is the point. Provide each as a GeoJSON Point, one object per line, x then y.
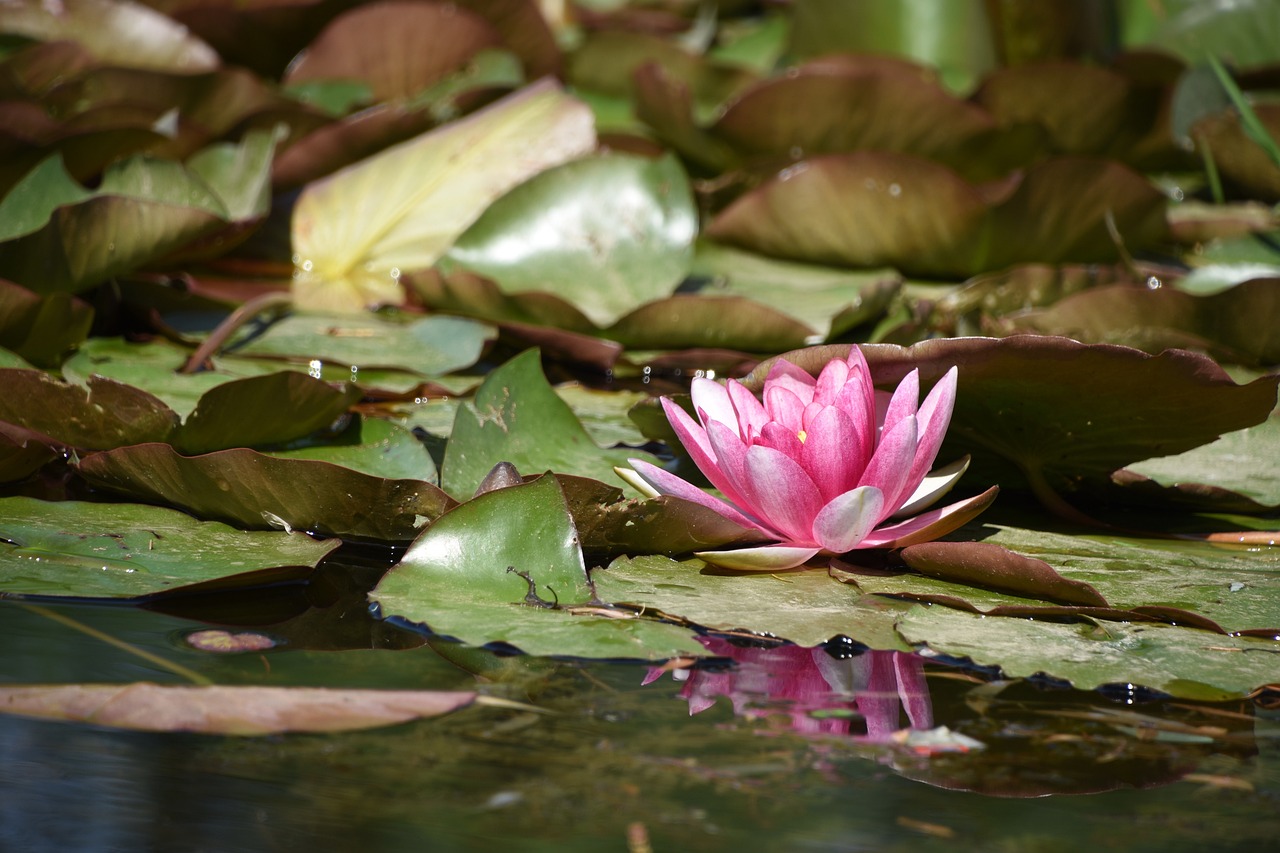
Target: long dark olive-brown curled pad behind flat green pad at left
{"type": "Point", "coordinates": [260, 492]}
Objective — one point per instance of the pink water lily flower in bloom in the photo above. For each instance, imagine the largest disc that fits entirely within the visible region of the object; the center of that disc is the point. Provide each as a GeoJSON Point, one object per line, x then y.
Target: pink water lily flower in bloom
{"type": "Point", "coordinates": [822, 466]}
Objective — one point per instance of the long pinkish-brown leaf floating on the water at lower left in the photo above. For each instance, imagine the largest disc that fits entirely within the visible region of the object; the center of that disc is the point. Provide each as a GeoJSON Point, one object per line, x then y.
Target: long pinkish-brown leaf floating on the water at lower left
{"type": "Point", "coordinates": [227, 710]}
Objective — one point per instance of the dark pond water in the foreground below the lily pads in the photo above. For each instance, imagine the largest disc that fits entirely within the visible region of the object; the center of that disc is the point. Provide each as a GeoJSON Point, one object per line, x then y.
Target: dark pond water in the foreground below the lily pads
{"type": "Point", "coordinates": [605, 761]}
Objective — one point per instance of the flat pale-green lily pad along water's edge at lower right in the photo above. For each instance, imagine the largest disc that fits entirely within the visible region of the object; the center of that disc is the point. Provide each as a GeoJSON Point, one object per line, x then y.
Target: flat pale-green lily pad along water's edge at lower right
{"type": "Point", "coordinates": [1185, 663]}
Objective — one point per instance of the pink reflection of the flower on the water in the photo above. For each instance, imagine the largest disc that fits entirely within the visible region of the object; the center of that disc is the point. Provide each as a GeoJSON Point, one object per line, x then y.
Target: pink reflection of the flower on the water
{"type": "Point", "coordinates": [820, 694]}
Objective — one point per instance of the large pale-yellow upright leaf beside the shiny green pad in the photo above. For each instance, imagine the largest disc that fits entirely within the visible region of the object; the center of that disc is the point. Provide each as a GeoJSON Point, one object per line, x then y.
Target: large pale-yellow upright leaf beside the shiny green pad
{"type": "Point", "coordinates": [356, 231]}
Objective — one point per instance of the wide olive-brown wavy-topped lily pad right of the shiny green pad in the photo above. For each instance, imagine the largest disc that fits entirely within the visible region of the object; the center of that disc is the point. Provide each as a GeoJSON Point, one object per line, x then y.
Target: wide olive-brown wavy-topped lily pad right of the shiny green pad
{"type": "Point", "coordinates": [881, 209]}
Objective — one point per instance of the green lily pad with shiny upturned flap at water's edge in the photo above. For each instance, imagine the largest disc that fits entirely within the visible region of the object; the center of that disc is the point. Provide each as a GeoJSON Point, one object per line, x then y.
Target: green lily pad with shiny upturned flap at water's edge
{"type": "Point", "coordinates": [495, 571]}
